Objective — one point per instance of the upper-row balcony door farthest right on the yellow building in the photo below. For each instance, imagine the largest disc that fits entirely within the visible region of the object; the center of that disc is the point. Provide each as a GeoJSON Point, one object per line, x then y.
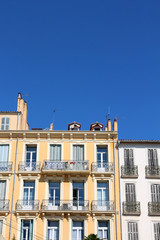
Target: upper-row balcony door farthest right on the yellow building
{"type": "Point", "coordinates": [102, 158]}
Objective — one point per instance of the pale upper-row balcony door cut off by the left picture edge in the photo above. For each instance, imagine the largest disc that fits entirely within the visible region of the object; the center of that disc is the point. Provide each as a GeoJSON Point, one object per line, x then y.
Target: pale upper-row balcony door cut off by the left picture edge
{"type": "Point", "coordinates": [4, 152]}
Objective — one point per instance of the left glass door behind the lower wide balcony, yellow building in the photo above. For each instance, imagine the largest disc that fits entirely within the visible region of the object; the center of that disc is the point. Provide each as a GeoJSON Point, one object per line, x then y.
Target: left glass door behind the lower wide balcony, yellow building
{"type": "Point", "coordinates": [54, 195]}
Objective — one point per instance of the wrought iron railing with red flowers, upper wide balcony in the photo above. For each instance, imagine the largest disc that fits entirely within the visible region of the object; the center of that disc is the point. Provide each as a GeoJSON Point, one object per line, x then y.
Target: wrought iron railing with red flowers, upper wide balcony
{"type": "Point", "coordinates": [66, 165]}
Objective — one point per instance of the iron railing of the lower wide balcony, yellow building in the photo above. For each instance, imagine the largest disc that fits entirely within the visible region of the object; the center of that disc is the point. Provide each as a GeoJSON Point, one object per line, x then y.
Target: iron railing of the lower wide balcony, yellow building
{"type": "Point", "coordinates": [65, 205]}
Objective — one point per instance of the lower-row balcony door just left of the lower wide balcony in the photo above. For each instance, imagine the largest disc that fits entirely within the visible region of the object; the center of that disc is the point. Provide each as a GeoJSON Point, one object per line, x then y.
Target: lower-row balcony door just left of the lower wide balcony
{"type": "Point", "coordinates": [28, 195]}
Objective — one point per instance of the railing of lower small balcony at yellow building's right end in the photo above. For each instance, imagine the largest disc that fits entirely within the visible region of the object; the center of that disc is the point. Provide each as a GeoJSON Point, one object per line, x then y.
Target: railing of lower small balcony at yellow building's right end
{"type": "Point", "coordinates": [103, 206]}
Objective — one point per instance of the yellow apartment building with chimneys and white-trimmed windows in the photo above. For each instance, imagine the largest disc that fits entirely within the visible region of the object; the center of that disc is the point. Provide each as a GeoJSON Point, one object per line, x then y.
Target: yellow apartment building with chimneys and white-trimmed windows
{"type": "Point", "coordinates": [57, 185]}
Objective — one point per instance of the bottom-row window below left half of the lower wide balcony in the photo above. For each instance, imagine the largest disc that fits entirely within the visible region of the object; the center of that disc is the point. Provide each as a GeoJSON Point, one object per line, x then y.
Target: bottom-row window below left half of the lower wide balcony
{"type": "Point", "coordinates": [53, 230]}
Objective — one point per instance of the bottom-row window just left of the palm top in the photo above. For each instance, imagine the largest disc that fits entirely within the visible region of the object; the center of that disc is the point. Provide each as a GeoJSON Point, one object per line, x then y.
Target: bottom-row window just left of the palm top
{"type": "Point", "coordinates": [77, 230]}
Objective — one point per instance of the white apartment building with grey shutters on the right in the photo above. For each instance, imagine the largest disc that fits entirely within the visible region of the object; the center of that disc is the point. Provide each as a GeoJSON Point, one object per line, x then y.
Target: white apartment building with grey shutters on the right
{"type": "Point", "coordinates": [140, 189]}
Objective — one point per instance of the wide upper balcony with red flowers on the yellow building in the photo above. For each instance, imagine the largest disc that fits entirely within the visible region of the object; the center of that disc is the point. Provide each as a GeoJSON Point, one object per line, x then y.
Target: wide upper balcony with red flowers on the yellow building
{"type": "Point", "coordinates": [81, 167]}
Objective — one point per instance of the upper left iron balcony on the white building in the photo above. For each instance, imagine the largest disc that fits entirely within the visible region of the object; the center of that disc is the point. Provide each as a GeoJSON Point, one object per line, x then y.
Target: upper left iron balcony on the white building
{"type": "Point", "coordinates": [129, 171]}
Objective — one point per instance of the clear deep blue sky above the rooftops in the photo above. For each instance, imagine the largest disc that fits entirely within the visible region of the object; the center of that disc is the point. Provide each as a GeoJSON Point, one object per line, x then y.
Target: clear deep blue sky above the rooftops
{"type": "Point", "coordinates": [79, 57]}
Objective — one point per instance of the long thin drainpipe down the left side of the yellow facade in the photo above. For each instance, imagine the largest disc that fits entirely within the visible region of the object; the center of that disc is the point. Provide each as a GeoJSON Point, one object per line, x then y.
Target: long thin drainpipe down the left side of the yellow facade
{"type": "Point", "coordinates": [10, 226]}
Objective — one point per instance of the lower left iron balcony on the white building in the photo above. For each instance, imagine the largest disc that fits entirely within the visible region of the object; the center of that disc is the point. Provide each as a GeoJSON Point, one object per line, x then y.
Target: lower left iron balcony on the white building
{"type": "Point", "coordinates": [131, 208]}
